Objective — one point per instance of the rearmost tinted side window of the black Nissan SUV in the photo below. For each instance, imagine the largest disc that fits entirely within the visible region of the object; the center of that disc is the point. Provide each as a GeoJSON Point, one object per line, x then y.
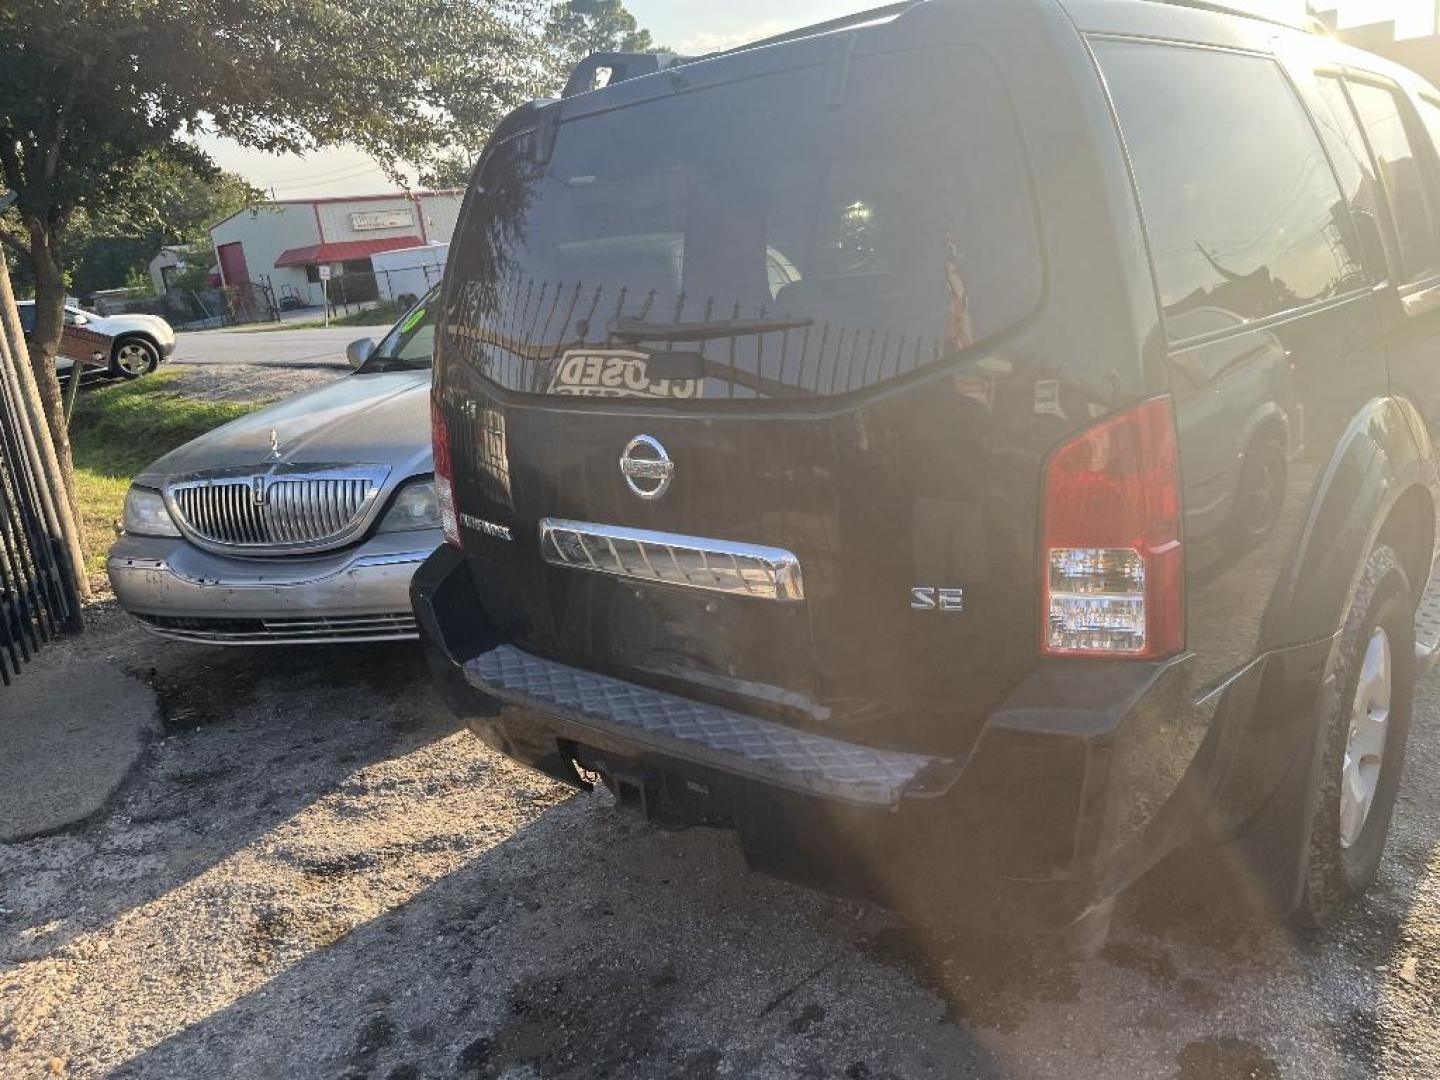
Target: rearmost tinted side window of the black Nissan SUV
{"type": "Point", "coordinates": [1241, 204]}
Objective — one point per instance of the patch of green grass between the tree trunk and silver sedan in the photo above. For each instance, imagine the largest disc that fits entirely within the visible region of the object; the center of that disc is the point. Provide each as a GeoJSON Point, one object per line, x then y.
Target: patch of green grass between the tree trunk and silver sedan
{"type": "Point", "coordinates": [117, 431]}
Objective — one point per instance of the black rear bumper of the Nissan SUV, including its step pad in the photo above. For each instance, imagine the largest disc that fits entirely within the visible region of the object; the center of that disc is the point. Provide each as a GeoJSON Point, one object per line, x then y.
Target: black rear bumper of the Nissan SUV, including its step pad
{"type": "Point", "coordinates": [1023, 832]}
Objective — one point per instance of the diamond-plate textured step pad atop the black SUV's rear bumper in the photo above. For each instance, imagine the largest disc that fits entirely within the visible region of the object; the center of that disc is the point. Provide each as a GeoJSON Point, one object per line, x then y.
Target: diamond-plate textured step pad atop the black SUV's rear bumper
{"type": "Point", "coordinates": [708, 735]}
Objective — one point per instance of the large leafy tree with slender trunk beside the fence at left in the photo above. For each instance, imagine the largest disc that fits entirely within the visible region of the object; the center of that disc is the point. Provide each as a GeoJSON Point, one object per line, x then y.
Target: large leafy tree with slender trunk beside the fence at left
{"type": "Point", "coordinates": [96, 99]}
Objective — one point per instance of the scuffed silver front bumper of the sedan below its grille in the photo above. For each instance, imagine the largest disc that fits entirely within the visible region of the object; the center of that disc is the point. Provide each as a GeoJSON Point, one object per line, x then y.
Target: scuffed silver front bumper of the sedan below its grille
{"type": "Point", "coordinates": [361, 594]}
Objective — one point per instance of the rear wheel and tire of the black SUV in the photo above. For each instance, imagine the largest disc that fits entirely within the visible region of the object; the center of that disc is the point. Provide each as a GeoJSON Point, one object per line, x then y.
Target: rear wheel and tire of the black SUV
{"type": "Point", "coordinates": [1366, 734]}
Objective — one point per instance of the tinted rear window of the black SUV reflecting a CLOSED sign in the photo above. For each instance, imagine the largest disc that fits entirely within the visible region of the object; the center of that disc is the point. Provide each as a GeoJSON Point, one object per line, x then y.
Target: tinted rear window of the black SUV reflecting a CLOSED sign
{"type": "Point", "coordinates": [762, 238]}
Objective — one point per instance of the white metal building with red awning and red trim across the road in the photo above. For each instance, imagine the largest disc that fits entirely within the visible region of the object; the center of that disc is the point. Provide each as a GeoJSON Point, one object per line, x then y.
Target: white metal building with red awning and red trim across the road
{"type": "Point", "coordinates": [284, 244]}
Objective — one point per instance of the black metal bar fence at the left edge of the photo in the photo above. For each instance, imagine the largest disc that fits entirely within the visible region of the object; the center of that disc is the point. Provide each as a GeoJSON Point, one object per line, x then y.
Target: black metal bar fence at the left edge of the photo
{"type": "Point", "coordinates": [37, 597]}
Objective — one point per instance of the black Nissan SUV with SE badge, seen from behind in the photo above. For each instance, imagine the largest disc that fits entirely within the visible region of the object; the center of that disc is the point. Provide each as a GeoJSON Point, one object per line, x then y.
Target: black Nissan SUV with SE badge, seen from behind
{"type": "Point", "coordinates": [973, 450]}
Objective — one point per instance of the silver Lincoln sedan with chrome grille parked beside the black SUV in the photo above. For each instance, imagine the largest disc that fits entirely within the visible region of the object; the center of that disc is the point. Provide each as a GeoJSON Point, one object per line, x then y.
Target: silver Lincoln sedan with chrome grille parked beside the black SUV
{"type": "Point", "coordinates": [299, 523]}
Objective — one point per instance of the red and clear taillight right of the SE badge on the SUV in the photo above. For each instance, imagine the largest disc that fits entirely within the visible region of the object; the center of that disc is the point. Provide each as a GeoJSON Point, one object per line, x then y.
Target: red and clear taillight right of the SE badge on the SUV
{"type": "Point", "coordinates": [1114, 570]}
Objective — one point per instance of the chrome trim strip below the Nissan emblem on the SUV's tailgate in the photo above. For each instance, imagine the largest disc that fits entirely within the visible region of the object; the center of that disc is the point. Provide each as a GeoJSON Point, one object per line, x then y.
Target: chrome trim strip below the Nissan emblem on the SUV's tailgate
{"type": "Point", "coordinates": [695, 562]}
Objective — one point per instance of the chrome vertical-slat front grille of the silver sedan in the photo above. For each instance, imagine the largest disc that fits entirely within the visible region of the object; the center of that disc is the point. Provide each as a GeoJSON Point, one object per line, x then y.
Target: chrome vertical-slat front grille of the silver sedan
{"type": "Point", "coordinates": [282, 510]}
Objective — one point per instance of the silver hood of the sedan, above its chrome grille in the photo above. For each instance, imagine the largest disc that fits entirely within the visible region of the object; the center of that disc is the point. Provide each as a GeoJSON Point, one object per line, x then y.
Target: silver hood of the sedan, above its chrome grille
{"type": "Point", "coordinates": [362, 420]}
